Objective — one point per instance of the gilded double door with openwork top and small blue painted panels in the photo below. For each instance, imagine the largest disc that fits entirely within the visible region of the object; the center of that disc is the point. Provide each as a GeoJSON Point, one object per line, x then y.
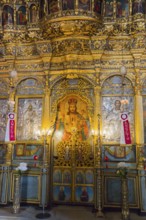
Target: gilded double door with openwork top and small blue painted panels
{"type": "Point", "coordinates": [73, 173]}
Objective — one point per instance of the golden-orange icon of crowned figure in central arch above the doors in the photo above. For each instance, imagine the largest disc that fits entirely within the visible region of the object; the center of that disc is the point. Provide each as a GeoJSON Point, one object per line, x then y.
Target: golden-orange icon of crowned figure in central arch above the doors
{"type": "Point", "coordinates": [72, 118]}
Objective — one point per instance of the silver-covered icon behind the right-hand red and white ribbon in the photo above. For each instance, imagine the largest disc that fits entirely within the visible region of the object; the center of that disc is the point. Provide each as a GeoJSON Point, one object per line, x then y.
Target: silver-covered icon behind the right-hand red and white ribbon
{"type": "Point", "coordinates": [112, 110]}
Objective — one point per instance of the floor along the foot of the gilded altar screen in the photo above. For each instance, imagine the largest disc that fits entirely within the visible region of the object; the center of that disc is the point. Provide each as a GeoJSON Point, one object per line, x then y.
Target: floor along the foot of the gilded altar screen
{"type": "Point", "coordinates": [62, 213]}
